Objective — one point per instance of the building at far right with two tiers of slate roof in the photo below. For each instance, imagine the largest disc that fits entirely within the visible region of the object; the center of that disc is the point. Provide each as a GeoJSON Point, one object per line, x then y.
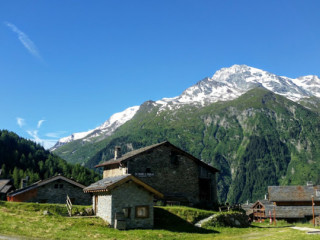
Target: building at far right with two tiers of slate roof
{"type": "Point", "coordinates": [294, 202]}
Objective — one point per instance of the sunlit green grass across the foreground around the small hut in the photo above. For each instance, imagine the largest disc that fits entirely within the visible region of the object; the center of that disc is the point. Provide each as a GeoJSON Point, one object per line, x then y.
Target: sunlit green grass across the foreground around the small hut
{"type": "Point", "coordinates": [27, 220]}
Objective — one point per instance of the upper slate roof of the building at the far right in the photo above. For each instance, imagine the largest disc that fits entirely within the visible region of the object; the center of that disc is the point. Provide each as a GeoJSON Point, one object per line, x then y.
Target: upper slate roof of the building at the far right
{"type": "Point", "coordinates": [293, 193]}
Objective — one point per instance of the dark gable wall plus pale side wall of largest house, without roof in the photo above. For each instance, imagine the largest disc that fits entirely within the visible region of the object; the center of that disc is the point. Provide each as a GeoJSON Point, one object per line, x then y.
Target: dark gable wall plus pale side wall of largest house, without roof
{"type": "Point", "coordinates": [170, 172]}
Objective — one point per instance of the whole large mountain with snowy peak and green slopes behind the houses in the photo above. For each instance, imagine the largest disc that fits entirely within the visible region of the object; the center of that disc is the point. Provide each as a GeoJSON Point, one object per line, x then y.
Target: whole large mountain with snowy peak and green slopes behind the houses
{"type": "Point", "coordinates": [258, 128]}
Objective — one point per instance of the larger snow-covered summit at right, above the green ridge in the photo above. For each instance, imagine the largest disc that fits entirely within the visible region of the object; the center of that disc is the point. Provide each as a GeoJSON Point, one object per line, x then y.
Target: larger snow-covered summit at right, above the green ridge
{"type": "Point", "coordinates": [229, 83]}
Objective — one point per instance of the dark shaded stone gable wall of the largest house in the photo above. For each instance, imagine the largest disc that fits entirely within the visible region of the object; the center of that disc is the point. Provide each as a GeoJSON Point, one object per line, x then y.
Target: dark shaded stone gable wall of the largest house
{"type": "Point", "coordinates": [167, 171]}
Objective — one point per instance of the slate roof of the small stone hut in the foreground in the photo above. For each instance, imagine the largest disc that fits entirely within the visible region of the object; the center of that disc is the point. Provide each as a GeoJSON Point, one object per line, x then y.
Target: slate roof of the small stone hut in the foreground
{"type": "Point", "coordinates": [108, 184]}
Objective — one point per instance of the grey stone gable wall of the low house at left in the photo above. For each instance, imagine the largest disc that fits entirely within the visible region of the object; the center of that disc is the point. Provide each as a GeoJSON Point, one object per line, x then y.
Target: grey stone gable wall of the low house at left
{"type": "Point", "coordinates": [57, 191]}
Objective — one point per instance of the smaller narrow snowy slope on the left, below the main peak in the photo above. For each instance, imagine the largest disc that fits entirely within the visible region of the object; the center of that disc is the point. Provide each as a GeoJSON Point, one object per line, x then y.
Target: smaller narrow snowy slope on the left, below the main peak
{"type": "Point", "coordinates": [106, 129]}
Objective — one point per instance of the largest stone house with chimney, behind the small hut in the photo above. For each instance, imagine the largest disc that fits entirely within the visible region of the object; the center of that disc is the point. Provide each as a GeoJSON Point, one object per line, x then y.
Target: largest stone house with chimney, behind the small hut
{"type": "Point", "coordinates": [181, 177]}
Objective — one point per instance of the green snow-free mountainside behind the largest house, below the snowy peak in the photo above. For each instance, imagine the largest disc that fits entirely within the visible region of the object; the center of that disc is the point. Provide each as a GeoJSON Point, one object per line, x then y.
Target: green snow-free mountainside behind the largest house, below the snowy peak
{"type": "Point", "coordinates": [257, 140]}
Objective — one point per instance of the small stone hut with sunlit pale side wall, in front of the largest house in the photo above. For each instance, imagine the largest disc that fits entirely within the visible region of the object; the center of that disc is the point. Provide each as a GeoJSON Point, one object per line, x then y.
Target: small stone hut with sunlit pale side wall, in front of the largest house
{"type": "Point", "coordinates": [124, 201]}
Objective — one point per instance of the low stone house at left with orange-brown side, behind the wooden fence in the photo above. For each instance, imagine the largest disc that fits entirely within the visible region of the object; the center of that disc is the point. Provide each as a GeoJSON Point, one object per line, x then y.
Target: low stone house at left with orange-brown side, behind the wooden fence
{"type": "Point", "coordinates": [52, 190]}
